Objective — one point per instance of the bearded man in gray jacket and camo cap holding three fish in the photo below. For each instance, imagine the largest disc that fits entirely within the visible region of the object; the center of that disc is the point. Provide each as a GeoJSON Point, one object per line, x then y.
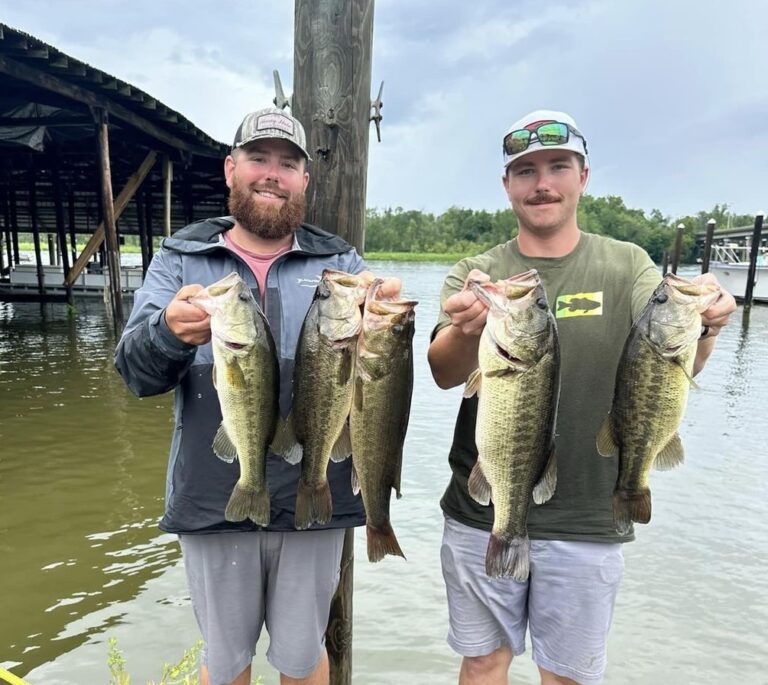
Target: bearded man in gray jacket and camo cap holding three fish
{"type": "Point", "coordinates": [242, 576]}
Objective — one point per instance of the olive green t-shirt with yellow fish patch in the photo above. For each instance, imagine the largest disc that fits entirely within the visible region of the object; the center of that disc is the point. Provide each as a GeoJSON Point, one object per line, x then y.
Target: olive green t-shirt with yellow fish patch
{"type": "Point", "coordinates": [595, 292]}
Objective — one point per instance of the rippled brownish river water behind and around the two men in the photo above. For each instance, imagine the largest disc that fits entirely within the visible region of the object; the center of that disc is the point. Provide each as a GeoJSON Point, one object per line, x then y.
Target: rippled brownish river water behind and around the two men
{"type": "Point", "coordinates": [82, 472]}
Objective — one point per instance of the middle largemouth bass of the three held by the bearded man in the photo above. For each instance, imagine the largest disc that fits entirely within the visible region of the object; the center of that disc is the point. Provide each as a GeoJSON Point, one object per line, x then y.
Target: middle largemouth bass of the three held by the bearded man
{"type": "Point", "coordinates": [322, 391]}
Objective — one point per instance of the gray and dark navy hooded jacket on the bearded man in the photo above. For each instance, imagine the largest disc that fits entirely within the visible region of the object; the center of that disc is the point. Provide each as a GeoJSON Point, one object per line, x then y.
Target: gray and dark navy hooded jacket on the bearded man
{"type": "Point", "coordinates": [152, 360]}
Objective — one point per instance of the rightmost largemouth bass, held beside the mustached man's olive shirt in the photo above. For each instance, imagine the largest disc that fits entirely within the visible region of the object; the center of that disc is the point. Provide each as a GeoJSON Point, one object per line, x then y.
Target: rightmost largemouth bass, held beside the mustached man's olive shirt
{"type": "Point", "coordinates": [651, 392]}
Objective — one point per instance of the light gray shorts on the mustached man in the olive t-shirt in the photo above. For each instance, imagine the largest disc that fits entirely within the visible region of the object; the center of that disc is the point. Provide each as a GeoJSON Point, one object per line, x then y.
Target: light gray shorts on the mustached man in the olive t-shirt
{"type": "Point", "coordinates": [566, 604]}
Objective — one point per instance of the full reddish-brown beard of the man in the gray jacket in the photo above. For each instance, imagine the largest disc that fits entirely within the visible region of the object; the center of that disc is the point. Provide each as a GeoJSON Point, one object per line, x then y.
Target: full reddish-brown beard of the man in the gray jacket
{"type": "Point", "coordinates": [267, 221]}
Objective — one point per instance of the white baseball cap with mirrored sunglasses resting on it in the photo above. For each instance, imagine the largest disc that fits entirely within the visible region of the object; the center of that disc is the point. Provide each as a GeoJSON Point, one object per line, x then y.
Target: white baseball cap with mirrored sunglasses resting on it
{"type": "Point", "coordinates": [572, 137]}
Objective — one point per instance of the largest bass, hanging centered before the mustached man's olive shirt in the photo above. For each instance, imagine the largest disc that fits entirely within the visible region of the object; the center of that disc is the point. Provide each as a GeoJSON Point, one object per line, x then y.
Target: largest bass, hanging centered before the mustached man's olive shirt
{"type": "Point", "coordinates": [517, 383]}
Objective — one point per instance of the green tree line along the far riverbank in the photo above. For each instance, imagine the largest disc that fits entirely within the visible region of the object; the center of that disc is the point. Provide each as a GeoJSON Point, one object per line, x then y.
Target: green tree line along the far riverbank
{"type": "Point", "coordinates": [468, 231]}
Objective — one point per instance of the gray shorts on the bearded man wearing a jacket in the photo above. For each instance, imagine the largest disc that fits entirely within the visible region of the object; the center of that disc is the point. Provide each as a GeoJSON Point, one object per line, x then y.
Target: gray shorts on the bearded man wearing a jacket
{"type": "Point", "coordinates": [240, 581]}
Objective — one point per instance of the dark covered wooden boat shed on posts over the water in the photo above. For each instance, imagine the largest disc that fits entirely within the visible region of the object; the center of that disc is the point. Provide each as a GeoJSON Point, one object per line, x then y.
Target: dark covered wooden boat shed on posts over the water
{"type": "Point", "coordinates": [84, 153]}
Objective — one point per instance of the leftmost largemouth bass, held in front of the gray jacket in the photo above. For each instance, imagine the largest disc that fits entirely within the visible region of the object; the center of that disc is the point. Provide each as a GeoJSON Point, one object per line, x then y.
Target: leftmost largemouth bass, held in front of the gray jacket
{"type": "Point", "coordinates": [246, 378]}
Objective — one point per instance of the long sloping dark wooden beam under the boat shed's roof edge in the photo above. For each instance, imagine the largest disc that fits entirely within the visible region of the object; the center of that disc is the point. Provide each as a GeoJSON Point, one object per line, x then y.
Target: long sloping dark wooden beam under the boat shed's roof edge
{"type": "Point", "coordinates": [55, 84]}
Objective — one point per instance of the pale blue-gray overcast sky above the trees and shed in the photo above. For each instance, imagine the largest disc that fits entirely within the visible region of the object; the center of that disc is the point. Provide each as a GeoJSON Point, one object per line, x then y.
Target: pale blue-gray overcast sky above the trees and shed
{"type": "Point", "coordinates": [672, 95]}
